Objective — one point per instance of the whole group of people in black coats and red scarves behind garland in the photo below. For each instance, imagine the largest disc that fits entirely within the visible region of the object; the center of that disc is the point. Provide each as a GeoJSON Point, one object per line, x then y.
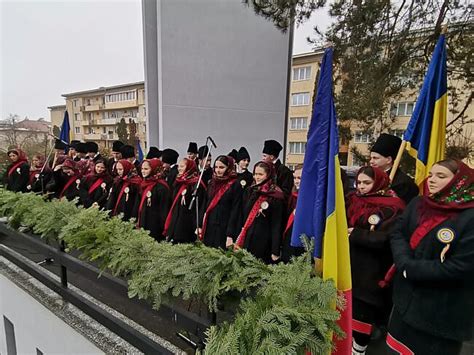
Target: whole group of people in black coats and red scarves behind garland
{"type": "Point", "coordinates": [412, 257]}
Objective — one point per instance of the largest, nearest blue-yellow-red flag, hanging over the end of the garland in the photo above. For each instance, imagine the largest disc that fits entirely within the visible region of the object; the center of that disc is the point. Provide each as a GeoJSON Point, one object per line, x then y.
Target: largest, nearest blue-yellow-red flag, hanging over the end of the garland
{"type": "Point", "coordinates": [320, 209]}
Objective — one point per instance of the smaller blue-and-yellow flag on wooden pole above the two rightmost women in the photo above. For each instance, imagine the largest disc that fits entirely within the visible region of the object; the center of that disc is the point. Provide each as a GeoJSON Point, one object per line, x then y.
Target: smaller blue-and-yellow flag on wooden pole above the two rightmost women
{"type": "Point", "coordinates": [426, 131]}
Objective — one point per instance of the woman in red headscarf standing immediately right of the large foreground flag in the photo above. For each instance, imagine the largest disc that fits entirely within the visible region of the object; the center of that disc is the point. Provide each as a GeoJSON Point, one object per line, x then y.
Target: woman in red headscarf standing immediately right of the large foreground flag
{"type": "Point", "coordinates": [372, 210]}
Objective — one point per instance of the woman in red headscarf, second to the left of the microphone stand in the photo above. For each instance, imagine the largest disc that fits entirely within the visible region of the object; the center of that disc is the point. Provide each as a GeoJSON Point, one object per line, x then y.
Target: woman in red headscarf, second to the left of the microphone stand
{"type": "Point", "coordinates": [153, 199]}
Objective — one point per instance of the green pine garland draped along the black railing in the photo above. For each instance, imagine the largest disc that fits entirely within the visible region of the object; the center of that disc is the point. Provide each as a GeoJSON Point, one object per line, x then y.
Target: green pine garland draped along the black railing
{"type": "Point", "coordinates": [285, 308]}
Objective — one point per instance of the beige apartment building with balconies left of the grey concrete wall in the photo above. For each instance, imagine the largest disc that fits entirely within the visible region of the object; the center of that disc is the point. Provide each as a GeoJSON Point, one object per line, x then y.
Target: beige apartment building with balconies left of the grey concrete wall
{"type": "Point", "coordinates": [95, 114]}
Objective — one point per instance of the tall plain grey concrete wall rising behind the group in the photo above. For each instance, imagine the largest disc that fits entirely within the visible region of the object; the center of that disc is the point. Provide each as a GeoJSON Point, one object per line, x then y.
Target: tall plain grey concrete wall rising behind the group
{"type": "Point", "coordinates": [213, 68]}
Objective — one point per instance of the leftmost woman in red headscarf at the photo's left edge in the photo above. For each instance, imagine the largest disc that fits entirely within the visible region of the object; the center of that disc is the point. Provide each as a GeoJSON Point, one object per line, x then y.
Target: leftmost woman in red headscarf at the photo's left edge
{"type": "Point", "coordinates": [17, 175]}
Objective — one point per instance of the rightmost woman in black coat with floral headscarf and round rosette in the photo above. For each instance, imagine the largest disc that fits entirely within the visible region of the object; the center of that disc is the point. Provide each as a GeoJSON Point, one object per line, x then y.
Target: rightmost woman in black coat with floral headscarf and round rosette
{"type": "Point", "coordinates": [433, 252]}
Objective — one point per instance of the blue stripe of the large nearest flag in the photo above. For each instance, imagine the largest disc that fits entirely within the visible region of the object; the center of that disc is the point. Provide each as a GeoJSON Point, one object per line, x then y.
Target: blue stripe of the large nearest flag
{"type": "Point", "coordinates": [317, 189]}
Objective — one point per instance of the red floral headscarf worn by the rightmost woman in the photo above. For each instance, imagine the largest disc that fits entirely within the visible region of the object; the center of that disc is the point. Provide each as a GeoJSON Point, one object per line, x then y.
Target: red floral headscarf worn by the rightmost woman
{"type": "Point", "coordinates": [456, 196]}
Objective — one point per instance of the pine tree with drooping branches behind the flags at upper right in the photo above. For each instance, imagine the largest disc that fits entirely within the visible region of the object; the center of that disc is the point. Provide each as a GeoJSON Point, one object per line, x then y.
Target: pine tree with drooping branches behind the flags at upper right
{"type": "Point", "coordinates": [382, 49]}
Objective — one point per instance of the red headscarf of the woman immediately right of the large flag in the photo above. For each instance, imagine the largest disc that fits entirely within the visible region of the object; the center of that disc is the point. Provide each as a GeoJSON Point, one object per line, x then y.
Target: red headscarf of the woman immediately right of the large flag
{"type": "Point", "coordinates": [361, 207]}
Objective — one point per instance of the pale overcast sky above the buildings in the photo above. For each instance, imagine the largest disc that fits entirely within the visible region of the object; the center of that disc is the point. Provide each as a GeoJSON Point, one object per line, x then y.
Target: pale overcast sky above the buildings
{"type": "Point", "coordinates": [49, 48]}
